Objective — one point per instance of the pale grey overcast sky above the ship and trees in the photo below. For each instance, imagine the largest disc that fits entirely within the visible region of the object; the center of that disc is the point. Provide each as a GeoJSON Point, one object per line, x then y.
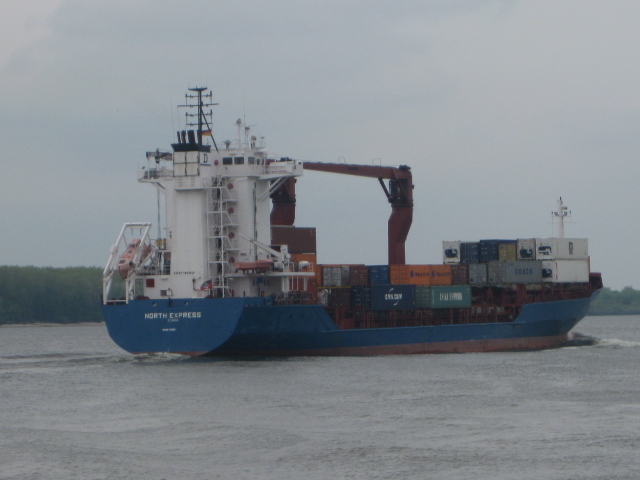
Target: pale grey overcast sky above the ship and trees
{"type": "Point", "coordinates": [499, 107]}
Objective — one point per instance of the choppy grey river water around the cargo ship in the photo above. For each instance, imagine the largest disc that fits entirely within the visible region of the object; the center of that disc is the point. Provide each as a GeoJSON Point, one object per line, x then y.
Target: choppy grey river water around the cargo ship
{"type": "Point", "coordinates": [72, 405]}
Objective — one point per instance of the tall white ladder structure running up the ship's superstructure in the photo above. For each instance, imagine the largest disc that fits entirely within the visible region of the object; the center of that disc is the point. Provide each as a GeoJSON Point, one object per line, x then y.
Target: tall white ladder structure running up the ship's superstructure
{"type": "Point", "coordinates": [222, 238]}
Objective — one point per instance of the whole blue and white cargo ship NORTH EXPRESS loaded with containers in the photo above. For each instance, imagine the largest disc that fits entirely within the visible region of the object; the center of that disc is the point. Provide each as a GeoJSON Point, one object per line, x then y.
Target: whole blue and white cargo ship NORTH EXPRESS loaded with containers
{"type": "Point", "coordinates": [225, 270]}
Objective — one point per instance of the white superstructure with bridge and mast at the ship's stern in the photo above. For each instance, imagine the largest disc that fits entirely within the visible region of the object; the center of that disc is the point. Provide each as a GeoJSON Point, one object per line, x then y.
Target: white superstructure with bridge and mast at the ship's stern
{"type": "Point", "coordinates": [216, 235]}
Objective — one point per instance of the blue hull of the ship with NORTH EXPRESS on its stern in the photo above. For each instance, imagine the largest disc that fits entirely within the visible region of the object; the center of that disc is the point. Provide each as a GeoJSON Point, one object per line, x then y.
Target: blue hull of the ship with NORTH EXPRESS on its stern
{"type": "Point", "coordinates": [253, 326]}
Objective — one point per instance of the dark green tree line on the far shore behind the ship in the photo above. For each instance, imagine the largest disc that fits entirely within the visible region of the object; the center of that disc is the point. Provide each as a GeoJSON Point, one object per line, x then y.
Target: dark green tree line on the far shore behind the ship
{"type": "Point", "coordinates": [73, 294]}
